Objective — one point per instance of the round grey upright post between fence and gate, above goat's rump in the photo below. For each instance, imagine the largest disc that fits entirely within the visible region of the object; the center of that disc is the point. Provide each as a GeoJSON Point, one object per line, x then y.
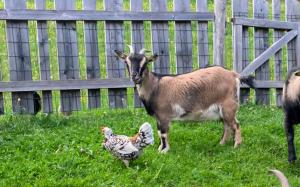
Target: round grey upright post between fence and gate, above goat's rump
{"type": "Point", "coordinates": [219, 32]}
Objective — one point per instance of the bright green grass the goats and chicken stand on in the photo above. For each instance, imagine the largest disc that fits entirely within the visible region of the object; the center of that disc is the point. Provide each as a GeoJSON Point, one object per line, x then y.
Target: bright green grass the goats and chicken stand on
{"type": "Point", "coordinates": [58, 151]}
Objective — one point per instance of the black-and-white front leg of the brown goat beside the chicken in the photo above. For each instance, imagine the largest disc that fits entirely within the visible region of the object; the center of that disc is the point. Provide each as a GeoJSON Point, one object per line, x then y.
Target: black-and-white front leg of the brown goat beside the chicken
{"type": "Point", "coordinates": [163, 128]}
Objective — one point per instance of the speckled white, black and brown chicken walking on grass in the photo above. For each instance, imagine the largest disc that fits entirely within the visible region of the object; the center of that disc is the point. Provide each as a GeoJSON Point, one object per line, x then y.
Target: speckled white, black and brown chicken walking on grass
{"type": "Point", "coordinates": [128, 148]}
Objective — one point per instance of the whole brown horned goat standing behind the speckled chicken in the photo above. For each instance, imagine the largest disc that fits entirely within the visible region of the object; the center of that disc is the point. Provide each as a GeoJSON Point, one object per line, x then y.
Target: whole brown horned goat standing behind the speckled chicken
{"type": "Point", "coordinates": [209, 93]}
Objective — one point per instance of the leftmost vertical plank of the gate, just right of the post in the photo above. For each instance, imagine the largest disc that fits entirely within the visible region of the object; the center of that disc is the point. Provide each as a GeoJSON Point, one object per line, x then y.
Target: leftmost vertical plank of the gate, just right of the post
{"type": "Point", "coordinates": [241, 42]}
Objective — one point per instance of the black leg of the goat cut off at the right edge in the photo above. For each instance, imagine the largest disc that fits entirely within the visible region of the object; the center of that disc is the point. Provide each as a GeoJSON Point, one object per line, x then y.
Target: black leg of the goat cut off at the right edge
{"type": "Point", "coordinates": [289, 131]}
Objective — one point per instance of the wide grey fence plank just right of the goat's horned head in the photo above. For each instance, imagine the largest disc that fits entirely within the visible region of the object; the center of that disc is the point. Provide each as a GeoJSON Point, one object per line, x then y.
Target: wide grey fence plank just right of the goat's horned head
{"type": "Point", "coordinates": [160, 38]}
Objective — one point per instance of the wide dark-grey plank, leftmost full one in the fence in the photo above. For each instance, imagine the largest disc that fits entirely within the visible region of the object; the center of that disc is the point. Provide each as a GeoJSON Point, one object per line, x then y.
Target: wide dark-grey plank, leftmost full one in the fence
{"type": "Point", "coordinates": [19, 58]}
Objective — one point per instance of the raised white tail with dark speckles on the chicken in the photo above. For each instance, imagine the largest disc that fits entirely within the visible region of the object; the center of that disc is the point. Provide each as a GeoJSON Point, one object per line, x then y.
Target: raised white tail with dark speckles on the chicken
{"type": "Point", "coordinates": [146, 135]}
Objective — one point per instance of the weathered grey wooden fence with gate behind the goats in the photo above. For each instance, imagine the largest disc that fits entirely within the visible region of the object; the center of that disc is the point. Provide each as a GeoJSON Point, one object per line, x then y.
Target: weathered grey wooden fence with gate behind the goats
{"type": "Point", "coordinates": [23, 87]}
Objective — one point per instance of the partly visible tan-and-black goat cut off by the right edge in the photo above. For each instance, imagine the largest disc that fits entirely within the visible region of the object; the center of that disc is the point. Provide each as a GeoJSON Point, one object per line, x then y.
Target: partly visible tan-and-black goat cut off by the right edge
{"type": "Point", "coordinates": [291, 106]}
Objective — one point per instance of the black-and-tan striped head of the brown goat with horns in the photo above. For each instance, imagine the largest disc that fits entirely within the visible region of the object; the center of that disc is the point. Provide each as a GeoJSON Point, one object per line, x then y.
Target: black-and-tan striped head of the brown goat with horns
{"type": "Point", "coordinates": [136, 63]}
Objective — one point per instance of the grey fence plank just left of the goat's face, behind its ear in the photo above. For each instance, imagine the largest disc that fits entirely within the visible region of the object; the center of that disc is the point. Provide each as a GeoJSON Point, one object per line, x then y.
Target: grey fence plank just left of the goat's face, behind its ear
{"type": "Point", "coordinates": [115, 67]}
